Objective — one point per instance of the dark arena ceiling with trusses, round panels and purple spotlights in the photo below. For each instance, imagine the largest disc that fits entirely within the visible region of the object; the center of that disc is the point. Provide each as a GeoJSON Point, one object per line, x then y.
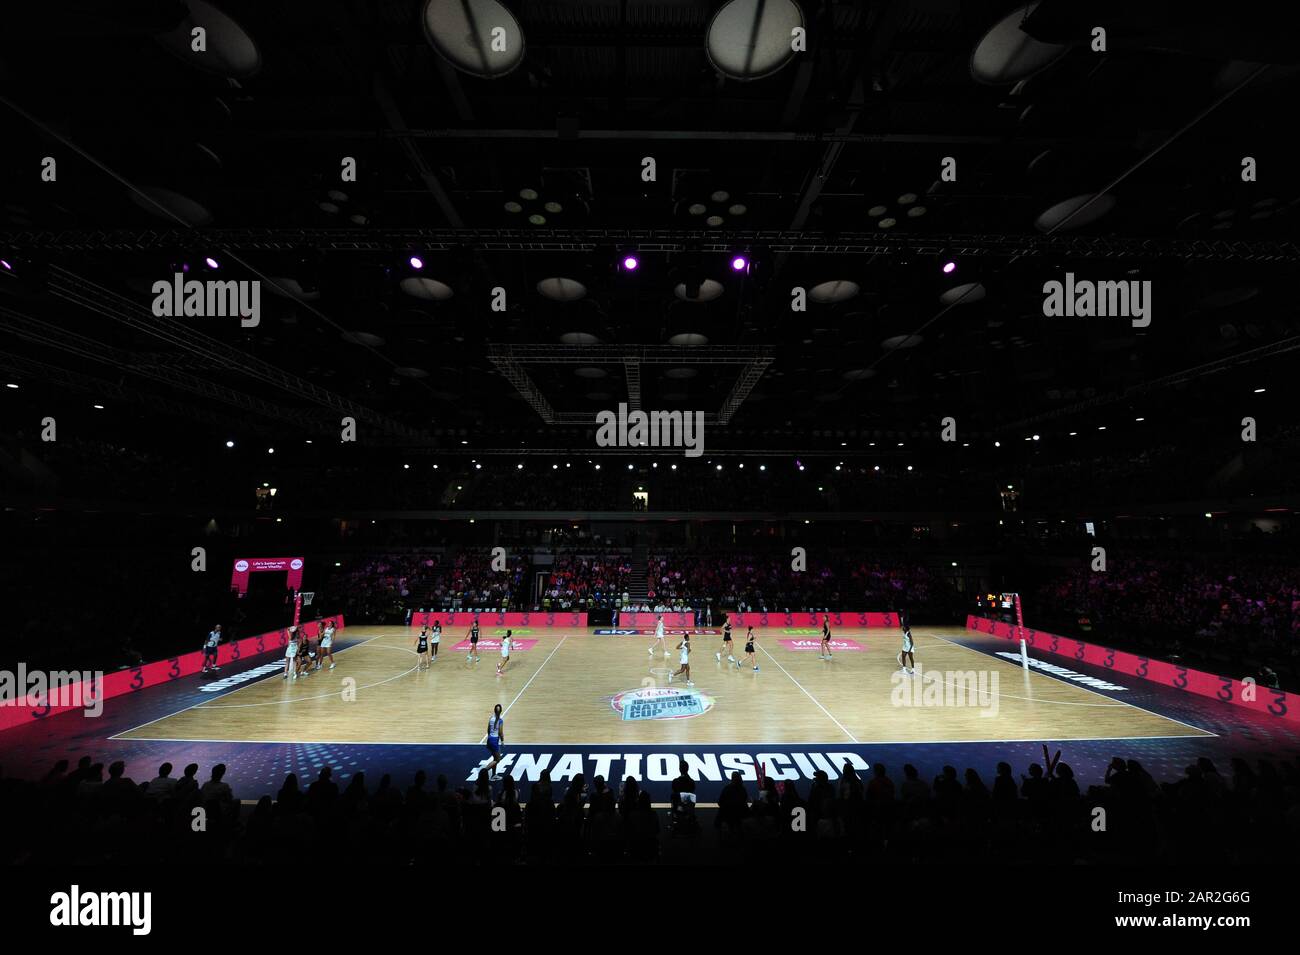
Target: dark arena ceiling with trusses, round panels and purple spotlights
{"type": "Point", "coordinates": [525, 173]}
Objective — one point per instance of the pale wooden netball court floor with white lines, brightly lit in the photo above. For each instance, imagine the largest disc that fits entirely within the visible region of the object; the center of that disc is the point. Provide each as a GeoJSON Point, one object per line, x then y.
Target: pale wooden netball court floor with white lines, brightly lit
{"type": "Point", "coordinates": [560, 691]}
